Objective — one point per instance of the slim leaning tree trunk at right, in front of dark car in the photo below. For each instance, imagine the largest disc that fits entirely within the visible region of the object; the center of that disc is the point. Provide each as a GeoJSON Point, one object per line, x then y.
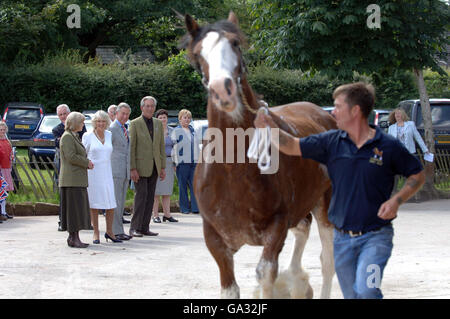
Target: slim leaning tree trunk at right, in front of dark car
{"type": "Point", "coordinates": [428, 190]}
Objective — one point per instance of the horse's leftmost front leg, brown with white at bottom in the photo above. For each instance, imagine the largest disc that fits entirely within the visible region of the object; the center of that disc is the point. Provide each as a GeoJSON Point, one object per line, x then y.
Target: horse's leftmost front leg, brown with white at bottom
{"type": "Point", "coordinates": [224, 259]}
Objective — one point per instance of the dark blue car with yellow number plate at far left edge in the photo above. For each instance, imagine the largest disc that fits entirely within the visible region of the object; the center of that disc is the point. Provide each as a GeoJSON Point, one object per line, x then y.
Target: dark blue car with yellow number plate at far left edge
{"type": "Point", "coordinates": [22, 119]}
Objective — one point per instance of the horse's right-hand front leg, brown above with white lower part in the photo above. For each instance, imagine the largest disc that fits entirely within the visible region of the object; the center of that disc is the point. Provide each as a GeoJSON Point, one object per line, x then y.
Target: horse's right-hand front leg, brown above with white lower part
{"type": "Point", "coordinates": [267, 269]}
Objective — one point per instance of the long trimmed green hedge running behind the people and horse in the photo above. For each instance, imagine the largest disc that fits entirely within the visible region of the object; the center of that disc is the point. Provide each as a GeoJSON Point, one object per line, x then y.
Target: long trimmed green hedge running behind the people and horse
{"type": "Point", "coordinates": [65, 79]}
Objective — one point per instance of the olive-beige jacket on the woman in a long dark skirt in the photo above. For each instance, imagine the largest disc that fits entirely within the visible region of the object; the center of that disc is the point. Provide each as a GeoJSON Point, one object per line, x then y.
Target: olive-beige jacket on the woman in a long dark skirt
{"type": "Point", "coordinates": [74, 162]}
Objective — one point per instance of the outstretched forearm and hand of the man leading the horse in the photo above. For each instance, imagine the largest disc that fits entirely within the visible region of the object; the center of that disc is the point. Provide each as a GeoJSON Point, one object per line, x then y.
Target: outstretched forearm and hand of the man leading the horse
{"type": "Point", "coordinates": [286, 143]}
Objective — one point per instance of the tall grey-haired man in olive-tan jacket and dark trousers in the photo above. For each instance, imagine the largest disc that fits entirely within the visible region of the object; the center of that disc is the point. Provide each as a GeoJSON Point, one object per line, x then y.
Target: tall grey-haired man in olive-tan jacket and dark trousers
{"type": "Point", "coordinates": [147, 162]}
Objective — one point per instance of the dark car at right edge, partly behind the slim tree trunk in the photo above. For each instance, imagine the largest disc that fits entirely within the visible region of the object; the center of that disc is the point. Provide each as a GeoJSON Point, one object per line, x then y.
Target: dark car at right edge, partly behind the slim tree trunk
{"type": "Point", "coordinates": [440, 119]}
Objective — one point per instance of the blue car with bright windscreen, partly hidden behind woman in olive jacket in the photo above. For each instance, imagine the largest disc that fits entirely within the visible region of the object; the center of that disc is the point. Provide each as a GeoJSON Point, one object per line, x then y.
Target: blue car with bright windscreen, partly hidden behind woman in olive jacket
{"type": "Point", "coordinates": [44, 133]}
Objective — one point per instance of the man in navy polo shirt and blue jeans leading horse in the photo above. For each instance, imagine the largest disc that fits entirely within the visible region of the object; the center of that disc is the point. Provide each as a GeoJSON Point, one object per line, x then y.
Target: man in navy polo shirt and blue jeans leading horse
{"type": "Point", "coordinates": [362, 162]}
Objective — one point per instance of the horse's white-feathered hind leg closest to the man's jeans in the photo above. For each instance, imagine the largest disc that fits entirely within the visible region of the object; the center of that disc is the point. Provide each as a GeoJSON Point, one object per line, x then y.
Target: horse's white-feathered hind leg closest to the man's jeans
{"type": "Point", "coordinates": [326, 238]}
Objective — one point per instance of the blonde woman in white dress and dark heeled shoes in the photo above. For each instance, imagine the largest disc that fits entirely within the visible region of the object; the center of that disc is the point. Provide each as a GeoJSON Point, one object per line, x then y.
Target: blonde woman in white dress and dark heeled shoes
{"type": "Point", "coordinates": [101, 186]}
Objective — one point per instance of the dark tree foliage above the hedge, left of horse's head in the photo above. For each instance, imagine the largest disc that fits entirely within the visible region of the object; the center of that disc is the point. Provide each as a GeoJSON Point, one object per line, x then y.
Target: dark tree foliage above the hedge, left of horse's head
{"type": "Point", "coordinates": [31, 29]}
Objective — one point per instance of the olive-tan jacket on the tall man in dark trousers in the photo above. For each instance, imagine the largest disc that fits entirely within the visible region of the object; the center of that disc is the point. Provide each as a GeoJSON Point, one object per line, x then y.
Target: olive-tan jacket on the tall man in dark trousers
{"type": "Point", "coordinates": [144, 152]}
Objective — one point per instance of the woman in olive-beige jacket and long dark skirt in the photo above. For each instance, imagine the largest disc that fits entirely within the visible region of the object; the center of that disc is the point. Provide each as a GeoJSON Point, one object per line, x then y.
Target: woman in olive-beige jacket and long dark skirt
{"type": "Point", "coordinates": [73, 181]}
